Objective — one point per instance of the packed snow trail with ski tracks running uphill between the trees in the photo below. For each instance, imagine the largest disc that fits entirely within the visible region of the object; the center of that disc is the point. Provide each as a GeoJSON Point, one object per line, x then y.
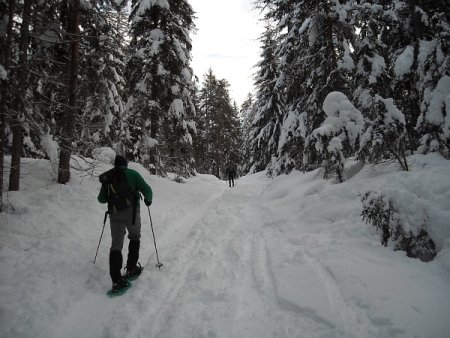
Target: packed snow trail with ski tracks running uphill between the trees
{"type": "Point", "coordinates": [218, 280]}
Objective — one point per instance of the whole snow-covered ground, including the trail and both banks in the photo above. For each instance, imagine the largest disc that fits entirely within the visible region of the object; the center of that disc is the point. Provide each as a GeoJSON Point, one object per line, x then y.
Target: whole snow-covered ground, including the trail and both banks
{"type": "Point", "coordinates": [288, 257]}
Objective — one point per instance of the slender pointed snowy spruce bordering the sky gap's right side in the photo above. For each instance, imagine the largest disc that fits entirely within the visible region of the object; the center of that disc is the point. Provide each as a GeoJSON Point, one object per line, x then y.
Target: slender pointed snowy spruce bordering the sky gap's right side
{"type": "Point", "coordinates": [265, 127]}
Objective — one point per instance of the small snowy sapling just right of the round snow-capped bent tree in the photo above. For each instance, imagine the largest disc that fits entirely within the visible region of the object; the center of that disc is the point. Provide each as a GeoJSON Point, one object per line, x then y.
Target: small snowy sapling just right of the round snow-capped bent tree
{"type": "Point", "coordinates": [385, 135]}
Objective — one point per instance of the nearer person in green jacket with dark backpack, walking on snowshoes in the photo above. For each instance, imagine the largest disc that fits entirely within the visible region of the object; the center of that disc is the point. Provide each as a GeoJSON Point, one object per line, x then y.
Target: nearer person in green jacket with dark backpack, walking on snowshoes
{"type": "Point", "coordinates": [121, 188]}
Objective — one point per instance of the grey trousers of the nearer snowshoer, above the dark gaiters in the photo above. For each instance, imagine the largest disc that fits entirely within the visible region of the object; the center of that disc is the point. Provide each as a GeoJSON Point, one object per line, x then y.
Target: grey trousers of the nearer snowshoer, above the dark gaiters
{"type": "Point", "coordinates": [120, 222]}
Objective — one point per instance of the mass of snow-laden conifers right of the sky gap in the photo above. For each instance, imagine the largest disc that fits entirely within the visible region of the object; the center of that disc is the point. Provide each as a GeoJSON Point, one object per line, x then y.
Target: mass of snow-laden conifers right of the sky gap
{"type": "Point", "coordinates": [349, 78]}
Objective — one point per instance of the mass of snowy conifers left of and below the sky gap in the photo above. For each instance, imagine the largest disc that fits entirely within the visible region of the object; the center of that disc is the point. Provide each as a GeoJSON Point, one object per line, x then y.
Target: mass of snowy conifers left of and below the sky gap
{"type": "Point", "coordinates": [77, 75]}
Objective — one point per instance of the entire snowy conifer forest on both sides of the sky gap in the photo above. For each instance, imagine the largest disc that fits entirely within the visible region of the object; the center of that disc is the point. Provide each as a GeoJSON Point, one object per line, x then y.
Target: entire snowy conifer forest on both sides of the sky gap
{"type": "Point", "coordinates": [336, 79]}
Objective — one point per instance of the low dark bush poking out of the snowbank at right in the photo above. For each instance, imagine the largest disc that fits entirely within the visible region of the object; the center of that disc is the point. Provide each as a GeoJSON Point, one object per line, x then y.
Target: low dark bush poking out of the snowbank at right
{"type": "Point", "coordinates": [388, 217]}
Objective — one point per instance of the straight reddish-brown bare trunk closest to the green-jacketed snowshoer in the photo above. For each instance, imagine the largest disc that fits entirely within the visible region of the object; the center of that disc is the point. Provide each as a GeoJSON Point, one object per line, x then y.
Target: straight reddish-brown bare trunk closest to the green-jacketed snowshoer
{"type": "Point", "coordinates": [72, 107]}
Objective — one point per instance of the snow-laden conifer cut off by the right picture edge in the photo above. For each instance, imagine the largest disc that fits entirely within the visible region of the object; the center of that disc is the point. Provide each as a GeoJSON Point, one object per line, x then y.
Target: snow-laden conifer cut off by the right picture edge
{"type": "Point", "coordinates": [433, 71]}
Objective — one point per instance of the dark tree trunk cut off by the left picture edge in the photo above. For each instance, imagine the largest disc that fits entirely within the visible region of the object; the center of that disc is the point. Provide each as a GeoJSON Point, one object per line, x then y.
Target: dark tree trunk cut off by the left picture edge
{"type": "Point", "coordinates": [5, 47]}
